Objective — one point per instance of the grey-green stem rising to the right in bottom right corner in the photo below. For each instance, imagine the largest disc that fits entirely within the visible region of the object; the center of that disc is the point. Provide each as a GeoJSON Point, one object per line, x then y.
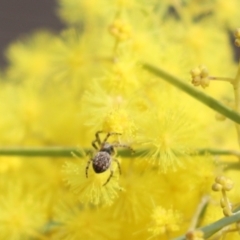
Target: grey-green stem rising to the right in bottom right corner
{"type": "Point", "coordinates": [210, 229]}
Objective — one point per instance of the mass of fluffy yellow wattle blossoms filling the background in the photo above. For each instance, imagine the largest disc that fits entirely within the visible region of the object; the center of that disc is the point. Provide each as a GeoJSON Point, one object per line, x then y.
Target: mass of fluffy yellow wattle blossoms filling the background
{"type": "Point", "coordinates": [59, 89]}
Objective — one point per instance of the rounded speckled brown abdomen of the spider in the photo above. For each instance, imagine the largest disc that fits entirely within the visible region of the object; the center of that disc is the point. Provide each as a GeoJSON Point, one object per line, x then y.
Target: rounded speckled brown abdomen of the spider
{"type": "Point", "coordinates": [101, 162]}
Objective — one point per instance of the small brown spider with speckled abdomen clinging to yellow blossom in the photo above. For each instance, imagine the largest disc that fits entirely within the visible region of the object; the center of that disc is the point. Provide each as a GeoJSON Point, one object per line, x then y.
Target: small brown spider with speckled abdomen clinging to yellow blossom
{"type": "Point", "coordinates": [102, 160]}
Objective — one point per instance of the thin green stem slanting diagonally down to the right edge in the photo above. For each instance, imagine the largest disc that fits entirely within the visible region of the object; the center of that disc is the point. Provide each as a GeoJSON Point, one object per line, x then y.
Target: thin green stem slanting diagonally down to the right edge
{"type": "Point", "coordinates": [200, 96]}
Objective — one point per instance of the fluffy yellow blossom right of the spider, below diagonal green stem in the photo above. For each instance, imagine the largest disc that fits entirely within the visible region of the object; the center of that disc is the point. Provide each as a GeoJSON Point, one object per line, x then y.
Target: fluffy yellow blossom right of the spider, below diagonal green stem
{"type": "Point", "coordinates": [167, 137]}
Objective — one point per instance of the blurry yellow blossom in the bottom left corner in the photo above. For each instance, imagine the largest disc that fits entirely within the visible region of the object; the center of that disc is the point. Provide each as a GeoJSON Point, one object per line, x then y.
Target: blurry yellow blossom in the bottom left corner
{"type": "Point", "coordinates": [22, 215]}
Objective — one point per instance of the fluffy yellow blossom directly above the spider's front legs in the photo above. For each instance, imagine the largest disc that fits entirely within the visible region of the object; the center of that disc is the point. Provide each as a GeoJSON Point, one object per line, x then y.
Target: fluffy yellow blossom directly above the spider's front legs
{"type": "Point", "coordinates": [109, 112]}
